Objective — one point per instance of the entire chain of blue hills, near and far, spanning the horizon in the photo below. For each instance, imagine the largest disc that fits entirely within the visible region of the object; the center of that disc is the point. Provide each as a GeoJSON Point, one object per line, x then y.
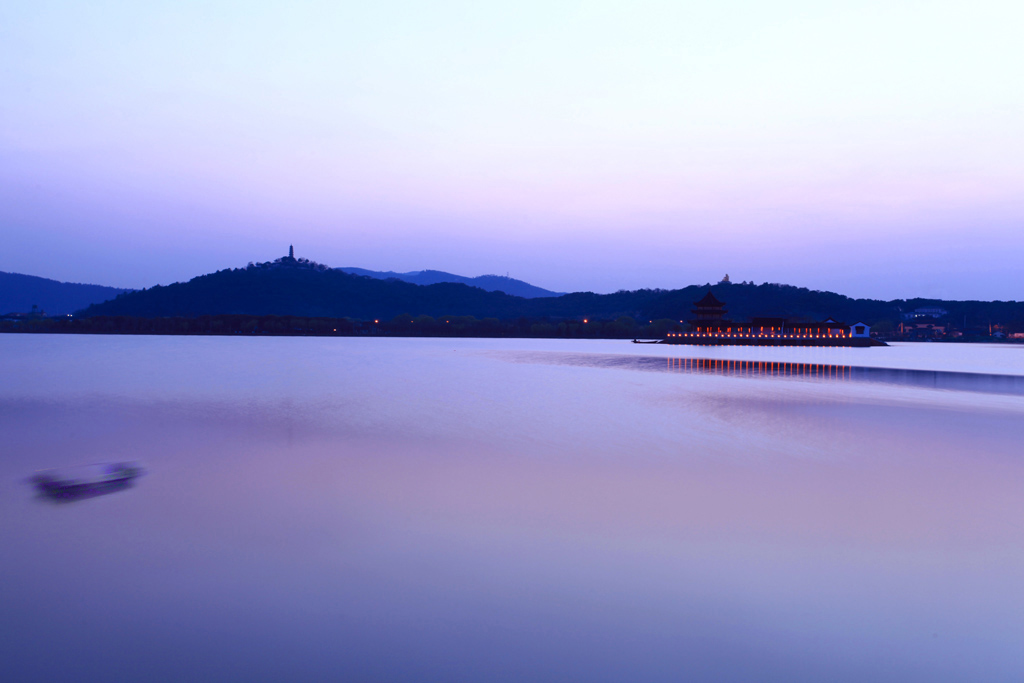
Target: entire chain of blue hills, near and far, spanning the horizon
{"type": "Point", "coordinates": [291, 287]}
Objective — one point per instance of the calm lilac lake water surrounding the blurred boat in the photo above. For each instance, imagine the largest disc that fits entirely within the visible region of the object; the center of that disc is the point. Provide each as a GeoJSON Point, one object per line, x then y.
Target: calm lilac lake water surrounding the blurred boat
{"type": "Point", "coordinates": [509, 510]}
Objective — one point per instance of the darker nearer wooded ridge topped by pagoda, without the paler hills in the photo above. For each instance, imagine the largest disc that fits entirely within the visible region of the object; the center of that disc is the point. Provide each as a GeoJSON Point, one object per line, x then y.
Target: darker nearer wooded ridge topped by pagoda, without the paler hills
{"type": "Point", "coordinates": [311, 291]}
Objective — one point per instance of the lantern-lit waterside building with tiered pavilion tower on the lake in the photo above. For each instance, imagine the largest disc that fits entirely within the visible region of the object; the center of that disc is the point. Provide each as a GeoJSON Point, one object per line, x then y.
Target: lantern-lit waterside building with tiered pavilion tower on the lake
{"type": "Point", "coordinates": [709, 327]}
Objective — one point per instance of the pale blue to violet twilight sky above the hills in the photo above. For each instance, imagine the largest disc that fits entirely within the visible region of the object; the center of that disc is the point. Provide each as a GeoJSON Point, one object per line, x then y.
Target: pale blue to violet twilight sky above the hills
{"type": "Point", "coordinates": [876, 149]}
